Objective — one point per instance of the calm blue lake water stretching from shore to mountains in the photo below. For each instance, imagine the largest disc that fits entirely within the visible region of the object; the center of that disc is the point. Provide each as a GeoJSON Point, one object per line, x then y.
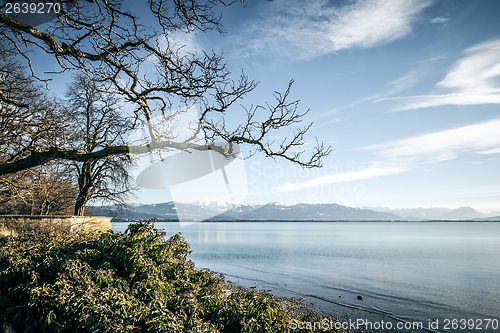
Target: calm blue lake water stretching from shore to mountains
{"type": "Point", "coordinates": [407, 272]}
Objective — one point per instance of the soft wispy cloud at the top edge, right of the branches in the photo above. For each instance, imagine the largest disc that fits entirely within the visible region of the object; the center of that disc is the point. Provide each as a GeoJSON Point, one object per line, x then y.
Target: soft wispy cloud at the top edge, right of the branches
{"type": "Point", "coordinates": [307, 29]}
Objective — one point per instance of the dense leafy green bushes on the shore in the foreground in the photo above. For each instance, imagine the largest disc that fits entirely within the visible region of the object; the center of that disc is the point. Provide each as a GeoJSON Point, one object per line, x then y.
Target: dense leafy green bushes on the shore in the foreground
{"type": "Point", "coordinates": [137, 281]}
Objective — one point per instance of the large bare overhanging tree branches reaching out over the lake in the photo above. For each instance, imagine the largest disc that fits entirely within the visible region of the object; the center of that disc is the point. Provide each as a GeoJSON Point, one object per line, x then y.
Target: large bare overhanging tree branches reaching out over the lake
{"type": "Point", "coordinates": [106, 41]}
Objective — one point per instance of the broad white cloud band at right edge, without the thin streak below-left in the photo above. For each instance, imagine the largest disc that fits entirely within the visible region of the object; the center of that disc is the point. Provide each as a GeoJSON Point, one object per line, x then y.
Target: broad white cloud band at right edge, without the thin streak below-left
{"type": "Point", "coordinates": [445, 145]}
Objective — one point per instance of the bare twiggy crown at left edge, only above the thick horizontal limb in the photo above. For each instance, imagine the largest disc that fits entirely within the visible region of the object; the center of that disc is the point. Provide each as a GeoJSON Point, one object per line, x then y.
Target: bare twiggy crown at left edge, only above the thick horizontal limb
{"type": "Point", "coordinates": [29, 119]}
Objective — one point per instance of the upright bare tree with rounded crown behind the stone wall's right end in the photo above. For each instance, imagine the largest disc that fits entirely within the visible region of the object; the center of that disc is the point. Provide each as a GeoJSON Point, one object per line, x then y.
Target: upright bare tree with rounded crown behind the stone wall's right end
{"type": "Point", "coordinates": [96, 121]}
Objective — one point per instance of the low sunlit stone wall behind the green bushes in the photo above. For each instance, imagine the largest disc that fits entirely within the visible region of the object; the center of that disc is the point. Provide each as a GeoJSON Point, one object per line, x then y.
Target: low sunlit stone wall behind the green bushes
{"type": "Point", "coordinates": [14, 224]}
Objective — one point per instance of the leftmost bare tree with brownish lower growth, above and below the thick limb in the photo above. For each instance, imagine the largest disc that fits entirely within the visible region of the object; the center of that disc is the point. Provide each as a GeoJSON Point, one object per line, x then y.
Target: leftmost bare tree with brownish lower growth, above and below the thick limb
{"type": "Point", "coordinates": [30, 123]}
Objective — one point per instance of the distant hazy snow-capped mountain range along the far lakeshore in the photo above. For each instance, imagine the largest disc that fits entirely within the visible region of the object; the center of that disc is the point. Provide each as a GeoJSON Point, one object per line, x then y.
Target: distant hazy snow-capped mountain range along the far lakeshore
{"type": "Point", "coordinates": [221, 211]}
